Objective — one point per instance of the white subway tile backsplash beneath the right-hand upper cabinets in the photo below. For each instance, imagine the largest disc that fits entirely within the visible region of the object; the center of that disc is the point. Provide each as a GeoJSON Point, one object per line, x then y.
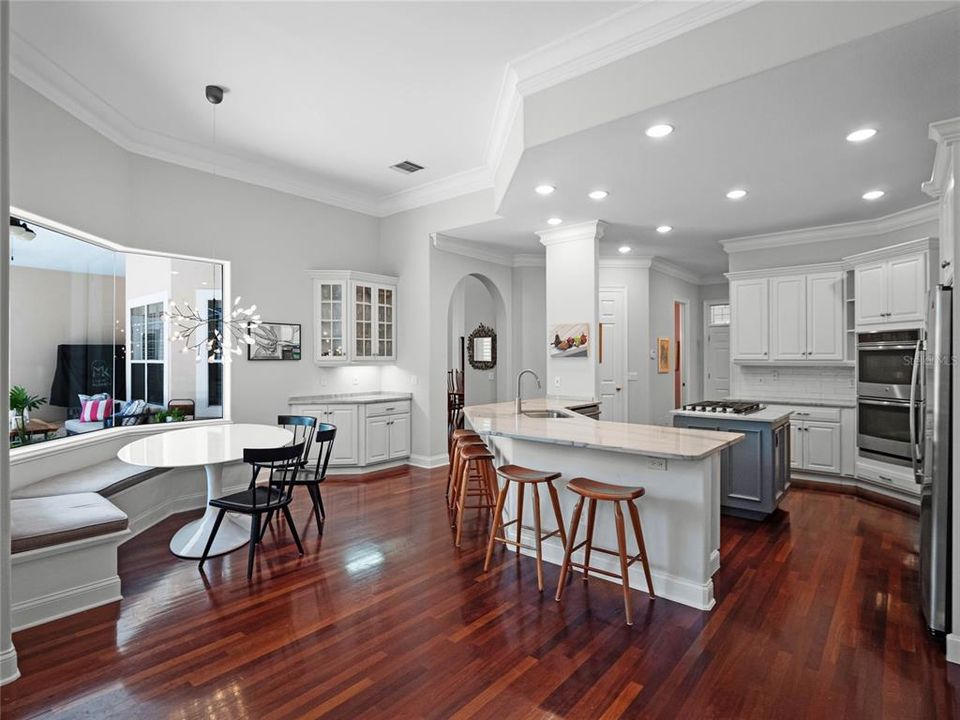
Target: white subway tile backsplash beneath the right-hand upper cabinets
{"type": "Point", "coordinates": [794, 383]}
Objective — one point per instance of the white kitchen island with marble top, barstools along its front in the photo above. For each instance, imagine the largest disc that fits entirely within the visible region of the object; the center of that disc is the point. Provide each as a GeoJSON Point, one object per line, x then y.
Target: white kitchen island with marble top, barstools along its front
{"type": "Point", "coordinates": [679, 468]}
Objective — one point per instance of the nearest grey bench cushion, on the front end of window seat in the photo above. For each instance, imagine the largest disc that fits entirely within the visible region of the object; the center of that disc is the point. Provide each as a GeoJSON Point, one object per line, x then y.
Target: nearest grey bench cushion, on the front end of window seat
{"type": "Point", "coordinates": [45, 521]}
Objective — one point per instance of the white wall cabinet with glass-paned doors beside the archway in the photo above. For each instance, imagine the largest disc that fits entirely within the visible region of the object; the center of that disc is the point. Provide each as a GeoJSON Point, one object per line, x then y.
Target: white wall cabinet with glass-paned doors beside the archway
{"type": "Point", "coordinates": [354, 317]}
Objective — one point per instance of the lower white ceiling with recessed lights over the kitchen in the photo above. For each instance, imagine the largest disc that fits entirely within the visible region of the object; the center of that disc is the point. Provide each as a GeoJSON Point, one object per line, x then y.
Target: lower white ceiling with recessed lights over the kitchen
{"type": "Point", "coordinates": [780, 134]}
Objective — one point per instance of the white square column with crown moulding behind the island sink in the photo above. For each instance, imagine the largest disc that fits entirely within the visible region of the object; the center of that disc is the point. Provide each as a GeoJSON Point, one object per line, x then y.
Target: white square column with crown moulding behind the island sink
{"type": "Point", "coordinates": [573, 296]}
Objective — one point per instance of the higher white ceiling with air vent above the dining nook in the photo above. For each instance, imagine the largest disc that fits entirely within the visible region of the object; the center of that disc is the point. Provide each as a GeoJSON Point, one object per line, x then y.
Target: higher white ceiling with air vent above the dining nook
{"type": "Point", "coordinates": [328, 94]}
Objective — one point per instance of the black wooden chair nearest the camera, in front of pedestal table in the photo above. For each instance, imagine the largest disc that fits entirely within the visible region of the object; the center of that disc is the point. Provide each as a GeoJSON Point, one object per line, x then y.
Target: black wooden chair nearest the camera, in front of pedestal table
{"type": "Point", "coordinates": [282, 464]}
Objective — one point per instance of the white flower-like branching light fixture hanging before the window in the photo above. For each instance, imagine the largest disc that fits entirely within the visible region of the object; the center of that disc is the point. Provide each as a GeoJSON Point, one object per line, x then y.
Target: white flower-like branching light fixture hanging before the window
{"type": "Point", "coordinates": [194, 330]}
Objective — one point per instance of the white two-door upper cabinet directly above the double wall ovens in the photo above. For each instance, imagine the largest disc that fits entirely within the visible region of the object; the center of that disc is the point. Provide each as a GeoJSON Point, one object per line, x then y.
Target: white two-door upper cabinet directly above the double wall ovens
{"type": "Point", "coordinates": [892, 289]}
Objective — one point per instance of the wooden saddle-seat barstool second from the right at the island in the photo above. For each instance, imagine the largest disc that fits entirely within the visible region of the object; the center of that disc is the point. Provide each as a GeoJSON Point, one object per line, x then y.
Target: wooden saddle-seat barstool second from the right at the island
{"type": "Point", "coordinates": [522, 477]}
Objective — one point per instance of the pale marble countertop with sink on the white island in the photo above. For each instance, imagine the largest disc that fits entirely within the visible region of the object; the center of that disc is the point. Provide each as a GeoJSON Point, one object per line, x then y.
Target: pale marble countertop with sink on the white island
{"type": "Point", "coordinates": [500, 419]}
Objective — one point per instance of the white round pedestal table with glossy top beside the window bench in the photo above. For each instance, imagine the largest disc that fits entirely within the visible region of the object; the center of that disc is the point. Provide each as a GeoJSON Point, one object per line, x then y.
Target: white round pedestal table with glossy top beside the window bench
{"type": "Point", "coordinates": [210, 446]}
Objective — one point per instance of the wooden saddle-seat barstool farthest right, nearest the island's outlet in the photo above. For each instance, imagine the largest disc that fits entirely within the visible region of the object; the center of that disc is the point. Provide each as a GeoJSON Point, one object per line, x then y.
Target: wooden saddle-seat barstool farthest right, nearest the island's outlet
{"type": "Point", "coordinates": [594, 491]}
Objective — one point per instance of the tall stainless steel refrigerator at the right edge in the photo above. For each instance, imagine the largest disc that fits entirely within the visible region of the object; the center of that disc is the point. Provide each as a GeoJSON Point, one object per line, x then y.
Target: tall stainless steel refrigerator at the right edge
{"type": "Point", "coordinates": [932, 438]}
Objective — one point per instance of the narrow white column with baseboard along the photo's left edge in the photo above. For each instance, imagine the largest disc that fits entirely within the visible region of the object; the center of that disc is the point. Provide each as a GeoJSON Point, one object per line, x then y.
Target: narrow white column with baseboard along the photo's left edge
{"type": "Point", "coordinates": [8, 653]}
